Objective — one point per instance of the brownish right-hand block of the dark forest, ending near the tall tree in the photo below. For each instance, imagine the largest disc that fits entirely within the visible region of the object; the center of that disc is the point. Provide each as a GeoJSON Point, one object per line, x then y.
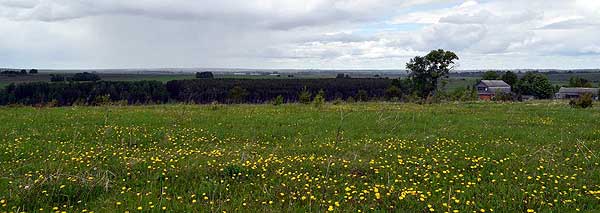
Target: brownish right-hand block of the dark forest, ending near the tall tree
{"type": "Point", "coordinates": [263, 90]}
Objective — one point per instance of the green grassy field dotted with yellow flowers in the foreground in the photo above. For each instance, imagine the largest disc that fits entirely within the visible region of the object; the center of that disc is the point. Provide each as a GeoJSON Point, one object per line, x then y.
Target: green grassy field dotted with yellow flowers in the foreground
{"type": "Point", "coordinates": [501, 157]}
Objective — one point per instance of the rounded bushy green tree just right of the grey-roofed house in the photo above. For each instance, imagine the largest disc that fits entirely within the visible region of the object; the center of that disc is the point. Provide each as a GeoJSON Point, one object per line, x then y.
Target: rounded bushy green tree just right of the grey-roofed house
{"type": "Point", "coordinates": [535, 84]}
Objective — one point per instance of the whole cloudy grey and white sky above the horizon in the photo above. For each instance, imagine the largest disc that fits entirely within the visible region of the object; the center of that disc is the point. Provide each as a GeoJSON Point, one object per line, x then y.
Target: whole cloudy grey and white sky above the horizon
{"type": "Point", "coordinates": [297, 34]}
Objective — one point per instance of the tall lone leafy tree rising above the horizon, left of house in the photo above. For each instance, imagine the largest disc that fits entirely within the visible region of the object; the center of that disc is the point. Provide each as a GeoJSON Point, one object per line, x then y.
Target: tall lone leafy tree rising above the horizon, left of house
{"type": "Point", "coordinates": [426, 72]}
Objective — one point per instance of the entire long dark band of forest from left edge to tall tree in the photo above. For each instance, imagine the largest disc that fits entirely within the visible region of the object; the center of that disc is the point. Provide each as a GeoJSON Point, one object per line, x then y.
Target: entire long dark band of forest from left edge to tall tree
{"type": "Point", "coordinates": [189, 91]}
